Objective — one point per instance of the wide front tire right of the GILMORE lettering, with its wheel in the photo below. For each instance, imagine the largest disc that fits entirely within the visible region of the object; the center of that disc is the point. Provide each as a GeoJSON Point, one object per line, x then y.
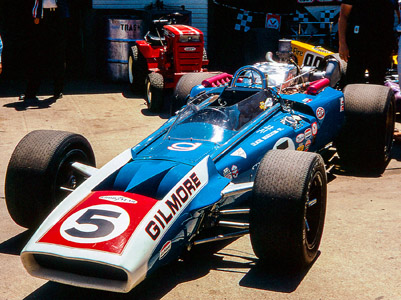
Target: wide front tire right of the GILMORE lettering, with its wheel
{"type": "Point", "coordinates": [287, 209]}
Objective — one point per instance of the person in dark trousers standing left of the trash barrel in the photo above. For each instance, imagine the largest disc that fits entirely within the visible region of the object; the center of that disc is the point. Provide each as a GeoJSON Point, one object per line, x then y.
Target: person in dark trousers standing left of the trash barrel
{"type": "Point", "coordinates": [48, 47]}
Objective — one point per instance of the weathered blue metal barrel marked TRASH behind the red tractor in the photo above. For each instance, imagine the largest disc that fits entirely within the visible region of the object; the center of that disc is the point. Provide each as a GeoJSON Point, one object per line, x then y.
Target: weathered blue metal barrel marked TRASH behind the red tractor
{"type": "Point", "coordinates": [121, 33]}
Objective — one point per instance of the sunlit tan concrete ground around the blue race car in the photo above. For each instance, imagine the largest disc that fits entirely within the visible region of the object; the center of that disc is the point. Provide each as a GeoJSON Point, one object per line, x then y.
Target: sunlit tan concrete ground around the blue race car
{"type": "Point", "coordinates": [360, 253]}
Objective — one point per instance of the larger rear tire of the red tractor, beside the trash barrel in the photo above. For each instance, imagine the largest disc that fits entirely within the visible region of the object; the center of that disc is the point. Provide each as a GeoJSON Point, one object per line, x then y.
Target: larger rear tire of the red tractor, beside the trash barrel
{"type": "Point", "coordinates": [137, 69]}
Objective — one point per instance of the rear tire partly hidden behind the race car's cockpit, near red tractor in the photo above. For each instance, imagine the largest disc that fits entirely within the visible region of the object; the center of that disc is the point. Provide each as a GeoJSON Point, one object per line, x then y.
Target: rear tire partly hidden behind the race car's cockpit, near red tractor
{"type": "Point", "coordinates": [185, 85]}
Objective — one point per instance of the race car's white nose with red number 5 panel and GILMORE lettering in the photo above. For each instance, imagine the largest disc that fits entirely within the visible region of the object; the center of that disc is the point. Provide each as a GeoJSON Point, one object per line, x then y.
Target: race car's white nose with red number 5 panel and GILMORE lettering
{"type": "Point", "coordinates": [111, 239]}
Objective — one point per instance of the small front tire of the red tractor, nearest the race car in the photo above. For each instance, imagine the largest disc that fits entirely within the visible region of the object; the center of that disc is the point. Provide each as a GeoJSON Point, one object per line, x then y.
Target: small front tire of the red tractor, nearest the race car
{"type": "Point", "coordinates": [154, 91]}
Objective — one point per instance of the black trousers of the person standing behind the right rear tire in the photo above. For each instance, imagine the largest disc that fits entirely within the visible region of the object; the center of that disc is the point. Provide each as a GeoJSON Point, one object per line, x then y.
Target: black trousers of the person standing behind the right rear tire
{"type": "Point", "coordinates": [376, 62]}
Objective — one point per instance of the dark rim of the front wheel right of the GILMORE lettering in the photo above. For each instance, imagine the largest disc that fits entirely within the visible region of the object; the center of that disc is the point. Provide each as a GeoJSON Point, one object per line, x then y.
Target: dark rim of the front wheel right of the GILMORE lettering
{"type": "Point", "coordinates": [313, 207]}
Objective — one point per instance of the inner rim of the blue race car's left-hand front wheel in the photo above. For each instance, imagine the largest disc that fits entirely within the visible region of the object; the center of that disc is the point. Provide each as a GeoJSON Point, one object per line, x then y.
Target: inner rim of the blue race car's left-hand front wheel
{"type": "Point", "coordinates": [67, 179]}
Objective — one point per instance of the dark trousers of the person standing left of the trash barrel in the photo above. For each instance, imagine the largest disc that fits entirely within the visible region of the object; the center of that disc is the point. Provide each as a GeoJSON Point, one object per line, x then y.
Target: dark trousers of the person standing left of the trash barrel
{"type": "Point", "coordinates": [47, 52]}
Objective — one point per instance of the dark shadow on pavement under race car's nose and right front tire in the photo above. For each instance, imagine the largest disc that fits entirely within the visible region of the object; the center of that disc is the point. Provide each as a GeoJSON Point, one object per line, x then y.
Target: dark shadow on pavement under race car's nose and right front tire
{"type": "Point", "coordinates": [167, 278]}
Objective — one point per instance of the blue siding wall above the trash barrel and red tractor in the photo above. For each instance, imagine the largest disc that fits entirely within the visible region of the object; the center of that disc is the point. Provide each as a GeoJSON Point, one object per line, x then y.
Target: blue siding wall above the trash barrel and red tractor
{"type": "Point", "coordinates": [199, 9]}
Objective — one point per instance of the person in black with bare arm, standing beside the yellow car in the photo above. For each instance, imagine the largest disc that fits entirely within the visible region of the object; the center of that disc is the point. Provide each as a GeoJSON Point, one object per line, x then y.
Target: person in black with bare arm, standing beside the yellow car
{"type": "Point", "coordinates": [366, 38]}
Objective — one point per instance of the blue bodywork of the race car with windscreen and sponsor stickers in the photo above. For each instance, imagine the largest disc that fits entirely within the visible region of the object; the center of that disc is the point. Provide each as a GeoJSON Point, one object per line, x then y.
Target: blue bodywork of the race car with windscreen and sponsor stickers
{"type": "Point", "coordinates": [234, 126]}
